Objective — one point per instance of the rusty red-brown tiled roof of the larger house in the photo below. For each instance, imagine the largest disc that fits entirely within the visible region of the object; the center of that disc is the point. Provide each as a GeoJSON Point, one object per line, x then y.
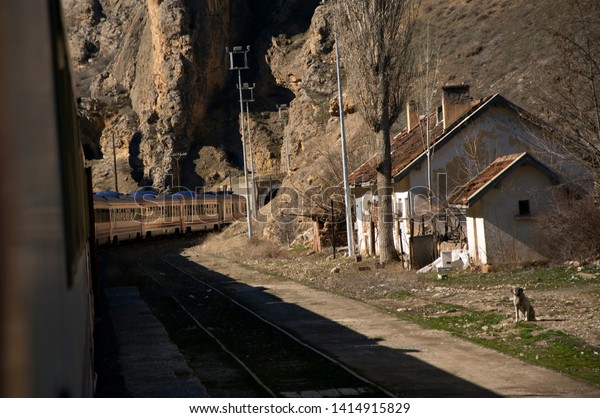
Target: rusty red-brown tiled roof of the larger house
{"type": "Point", "coordinates": [408, 147]}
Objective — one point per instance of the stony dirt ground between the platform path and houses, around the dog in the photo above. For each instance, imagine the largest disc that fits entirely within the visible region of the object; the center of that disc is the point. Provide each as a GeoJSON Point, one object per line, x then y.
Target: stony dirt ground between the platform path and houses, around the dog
{"type": "Point", "coordinates": [566, 298]}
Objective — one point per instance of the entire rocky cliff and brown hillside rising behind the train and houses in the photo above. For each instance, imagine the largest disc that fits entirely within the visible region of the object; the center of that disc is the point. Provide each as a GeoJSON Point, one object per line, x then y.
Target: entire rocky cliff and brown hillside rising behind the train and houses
{"type": "Point", "coordinates": [153, 77]}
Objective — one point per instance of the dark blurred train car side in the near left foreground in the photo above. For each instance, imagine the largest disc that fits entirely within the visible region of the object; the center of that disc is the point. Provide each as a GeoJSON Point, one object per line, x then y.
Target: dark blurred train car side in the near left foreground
{"type": "Point", "coordinates": [46, 316]}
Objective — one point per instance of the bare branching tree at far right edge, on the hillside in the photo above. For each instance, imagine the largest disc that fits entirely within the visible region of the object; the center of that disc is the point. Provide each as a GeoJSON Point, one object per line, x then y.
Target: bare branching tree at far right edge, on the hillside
{"type": "Point", "coordinates": [573, 101]}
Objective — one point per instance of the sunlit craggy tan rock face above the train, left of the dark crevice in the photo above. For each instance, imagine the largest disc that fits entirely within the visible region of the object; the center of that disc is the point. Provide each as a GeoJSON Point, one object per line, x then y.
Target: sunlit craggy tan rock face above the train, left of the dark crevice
{"type": "Point", "coordinates": [146, 72]}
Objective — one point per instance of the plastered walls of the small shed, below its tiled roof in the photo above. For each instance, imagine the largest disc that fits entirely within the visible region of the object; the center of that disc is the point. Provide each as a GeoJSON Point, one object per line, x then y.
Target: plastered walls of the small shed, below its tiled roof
{"type": "Point", "coordinates": [497, 233]}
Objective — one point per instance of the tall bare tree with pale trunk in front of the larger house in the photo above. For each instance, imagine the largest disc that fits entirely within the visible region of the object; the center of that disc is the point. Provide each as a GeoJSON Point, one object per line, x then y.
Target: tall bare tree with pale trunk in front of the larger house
{"type": "Point", "coordinates": [375, 38]}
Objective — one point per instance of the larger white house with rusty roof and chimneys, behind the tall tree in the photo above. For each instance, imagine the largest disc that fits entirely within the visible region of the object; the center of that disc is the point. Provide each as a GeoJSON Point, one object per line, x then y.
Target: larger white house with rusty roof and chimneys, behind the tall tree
{"type": "Point", "coordinates": [465, 136]}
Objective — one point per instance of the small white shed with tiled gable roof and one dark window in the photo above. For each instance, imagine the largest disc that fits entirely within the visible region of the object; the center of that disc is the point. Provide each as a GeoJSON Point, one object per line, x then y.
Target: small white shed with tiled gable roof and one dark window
{"type": "Point", "coordinates": [500, 204]}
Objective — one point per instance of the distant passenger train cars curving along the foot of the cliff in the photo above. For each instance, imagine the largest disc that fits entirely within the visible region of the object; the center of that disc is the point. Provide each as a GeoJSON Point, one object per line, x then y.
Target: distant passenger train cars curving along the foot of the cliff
{"type": "Point", "coordinates": [145, 214]}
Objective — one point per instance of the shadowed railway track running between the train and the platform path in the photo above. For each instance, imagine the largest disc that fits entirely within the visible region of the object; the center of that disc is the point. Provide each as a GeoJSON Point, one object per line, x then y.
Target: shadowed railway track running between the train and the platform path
{"type": "Point", "coordinates": [196, 308]}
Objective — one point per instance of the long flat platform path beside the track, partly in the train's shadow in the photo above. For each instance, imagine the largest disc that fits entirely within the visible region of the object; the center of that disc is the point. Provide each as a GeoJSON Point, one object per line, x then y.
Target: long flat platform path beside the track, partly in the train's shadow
{"type": "Point", "coordinates": [404, 358]}
